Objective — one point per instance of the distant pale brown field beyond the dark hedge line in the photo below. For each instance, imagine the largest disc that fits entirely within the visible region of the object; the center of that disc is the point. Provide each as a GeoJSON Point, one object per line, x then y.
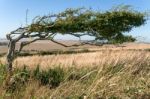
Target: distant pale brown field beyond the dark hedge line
{"type": "Point", "coordinates": [50, 46]}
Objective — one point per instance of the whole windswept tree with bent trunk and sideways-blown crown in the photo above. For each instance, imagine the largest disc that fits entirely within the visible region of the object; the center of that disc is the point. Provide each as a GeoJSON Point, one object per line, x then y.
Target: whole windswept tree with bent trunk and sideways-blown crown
{"type": "Point", "coordinates": [109, 25]}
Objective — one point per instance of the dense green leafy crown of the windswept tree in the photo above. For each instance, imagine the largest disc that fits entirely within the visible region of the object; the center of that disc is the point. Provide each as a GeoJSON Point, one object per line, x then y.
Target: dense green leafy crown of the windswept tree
{"type": "Point", "coordinates": [108, 25]}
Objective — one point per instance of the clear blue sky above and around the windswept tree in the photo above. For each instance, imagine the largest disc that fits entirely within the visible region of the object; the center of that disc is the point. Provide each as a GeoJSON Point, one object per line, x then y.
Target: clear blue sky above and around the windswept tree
{"type": "Point", "coordinates": [13, 12]}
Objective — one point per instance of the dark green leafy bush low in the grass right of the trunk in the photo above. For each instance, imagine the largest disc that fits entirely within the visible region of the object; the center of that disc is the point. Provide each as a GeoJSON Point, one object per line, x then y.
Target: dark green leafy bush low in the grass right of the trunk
{"type": "Point", "coordinates": [52, 77]}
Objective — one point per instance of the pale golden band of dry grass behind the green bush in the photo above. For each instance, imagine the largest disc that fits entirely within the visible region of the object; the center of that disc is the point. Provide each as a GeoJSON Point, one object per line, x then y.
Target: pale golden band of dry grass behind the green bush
{"type": "Point", "coordinates": [82, 59]}
